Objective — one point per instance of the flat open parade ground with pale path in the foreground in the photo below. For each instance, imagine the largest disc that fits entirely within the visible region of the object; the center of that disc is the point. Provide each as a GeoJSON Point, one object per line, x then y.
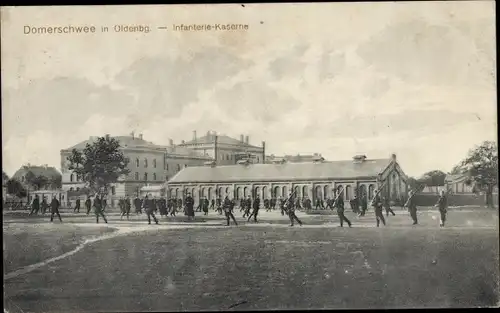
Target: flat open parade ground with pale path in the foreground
{"type": "Point", "coordinates": [81, 266]}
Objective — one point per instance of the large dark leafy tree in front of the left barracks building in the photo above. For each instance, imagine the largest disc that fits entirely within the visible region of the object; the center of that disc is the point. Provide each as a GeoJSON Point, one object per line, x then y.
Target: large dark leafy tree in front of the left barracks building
{"type": "Point", "coordinates": [100, 164]}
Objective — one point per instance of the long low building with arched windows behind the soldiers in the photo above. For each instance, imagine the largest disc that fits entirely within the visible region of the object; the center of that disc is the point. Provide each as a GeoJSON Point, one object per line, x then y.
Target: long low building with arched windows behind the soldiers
{"type": "Point", "coordinates": [315, 180]}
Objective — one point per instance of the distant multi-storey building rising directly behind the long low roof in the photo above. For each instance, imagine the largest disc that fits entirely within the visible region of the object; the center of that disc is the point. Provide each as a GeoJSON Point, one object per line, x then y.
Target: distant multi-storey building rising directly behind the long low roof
{"type": "Point", "coordinates": [224, 149]}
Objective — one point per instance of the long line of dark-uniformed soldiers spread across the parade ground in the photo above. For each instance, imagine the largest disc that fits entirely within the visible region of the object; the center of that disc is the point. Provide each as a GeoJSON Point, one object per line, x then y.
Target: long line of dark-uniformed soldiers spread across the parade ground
{"type": "Point", "coordinates": [248, 206]}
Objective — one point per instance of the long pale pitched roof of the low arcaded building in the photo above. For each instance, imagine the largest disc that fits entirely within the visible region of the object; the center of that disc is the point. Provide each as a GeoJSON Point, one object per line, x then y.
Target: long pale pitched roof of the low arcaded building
{"type": "Point", "coordinates": [282, 172]}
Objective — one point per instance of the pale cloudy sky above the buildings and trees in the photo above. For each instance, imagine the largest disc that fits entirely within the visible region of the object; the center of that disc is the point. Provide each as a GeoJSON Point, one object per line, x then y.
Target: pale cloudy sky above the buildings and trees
{"type": "Point", "coordinates": [414, 79]}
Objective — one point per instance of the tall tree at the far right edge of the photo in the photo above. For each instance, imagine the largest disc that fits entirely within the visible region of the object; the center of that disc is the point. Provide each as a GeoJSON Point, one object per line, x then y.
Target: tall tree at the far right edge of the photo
{"type": "Point", "coordinates": [481, 165]}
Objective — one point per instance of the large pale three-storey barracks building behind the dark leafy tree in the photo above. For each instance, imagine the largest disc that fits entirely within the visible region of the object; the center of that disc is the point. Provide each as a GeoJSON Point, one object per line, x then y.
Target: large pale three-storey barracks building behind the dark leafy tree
{"type": "Point", "coordinates": [150, 164]}
